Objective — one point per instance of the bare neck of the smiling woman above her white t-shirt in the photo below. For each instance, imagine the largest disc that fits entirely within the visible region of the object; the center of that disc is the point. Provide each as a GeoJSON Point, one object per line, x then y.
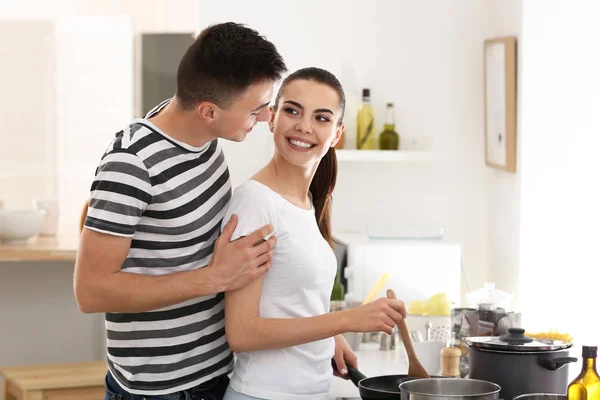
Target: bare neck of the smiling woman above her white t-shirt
{"type": "Point", "coordinates": [292, 182]}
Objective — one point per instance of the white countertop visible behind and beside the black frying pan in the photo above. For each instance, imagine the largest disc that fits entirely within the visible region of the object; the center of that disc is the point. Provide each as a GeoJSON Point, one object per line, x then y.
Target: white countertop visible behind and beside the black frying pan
{"type": "Point", "coordinates": [371, 362]}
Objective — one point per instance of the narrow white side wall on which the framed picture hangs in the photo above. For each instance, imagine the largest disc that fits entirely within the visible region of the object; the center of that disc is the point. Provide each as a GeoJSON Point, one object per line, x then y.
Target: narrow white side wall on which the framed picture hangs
{"type": "Point", "coordinates": [504, 190]}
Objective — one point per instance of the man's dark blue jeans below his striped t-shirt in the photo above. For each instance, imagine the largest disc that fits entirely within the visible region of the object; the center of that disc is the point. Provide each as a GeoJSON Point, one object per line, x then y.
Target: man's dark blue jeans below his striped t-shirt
{"type": "Point", "coordinates": [211, 390]}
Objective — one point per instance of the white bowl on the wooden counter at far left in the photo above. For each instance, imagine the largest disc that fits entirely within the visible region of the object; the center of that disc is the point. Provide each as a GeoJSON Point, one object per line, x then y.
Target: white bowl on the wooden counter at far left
{"type": "Point", "coordinates": [20, 225]}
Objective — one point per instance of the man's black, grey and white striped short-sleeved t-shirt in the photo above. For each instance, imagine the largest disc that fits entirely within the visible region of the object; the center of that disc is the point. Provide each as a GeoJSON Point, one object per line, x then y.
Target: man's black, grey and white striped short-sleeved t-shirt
{"type": "Point", "coordinates": [169, 197]}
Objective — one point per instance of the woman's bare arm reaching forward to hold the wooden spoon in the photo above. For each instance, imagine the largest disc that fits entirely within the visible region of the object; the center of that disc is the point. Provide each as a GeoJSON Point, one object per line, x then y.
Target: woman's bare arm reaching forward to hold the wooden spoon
{"type": "Point", "coordinates": [247, 330]}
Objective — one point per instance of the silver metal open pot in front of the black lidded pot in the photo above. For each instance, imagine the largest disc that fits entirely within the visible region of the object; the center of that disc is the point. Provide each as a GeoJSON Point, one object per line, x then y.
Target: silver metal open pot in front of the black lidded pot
{"type": "Point", "coordinates": [449, 389]}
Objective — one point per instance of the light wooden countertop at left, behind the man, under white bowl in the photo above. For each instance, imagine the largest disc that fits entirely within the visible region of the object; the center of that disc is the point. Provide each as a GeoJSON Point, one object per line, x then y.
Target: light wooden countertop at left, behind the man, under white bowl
{"type": "Point", "coordinates": [39, 248]}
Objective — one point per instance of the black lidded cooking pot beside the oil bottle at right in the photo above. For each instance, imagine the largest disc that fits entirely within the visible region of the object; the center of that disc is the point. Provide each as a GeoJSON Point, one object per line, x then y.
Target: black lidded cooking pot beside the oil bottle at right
{"type": "Point", "coordinates": [520, 364]}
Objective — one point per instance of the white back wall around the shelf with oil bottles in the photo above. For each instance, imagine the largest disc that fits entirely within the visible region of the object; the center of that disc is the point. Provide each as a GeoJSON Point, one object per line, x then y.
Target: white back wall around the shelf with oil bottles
{"type": "Point", "coordinates": [424, 56]}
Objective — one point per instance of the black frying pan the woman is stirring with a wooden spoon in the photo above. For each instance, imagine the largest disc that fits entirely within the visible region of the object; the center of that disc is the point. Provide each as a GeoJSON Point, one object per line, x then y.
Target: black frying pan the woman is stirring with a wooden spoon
{"type": "Point", "coordinates": [383, 387]}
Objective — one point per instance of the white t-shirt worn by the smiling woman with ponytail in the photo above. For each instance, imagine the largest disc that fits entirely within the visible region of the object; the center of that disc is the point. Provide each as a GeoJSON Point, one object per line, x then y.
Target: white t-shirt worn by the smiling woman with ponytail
{"type": "Point", "coordinates": [298, 285]}
